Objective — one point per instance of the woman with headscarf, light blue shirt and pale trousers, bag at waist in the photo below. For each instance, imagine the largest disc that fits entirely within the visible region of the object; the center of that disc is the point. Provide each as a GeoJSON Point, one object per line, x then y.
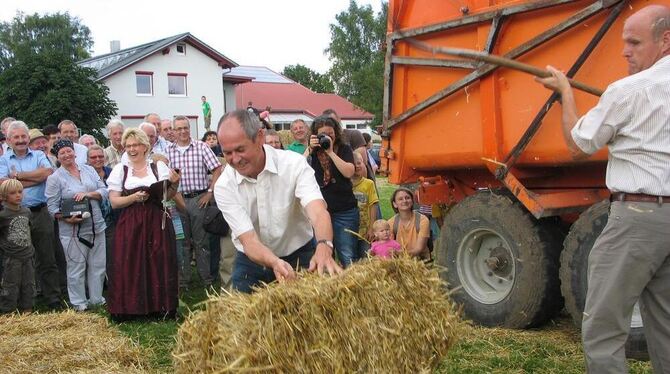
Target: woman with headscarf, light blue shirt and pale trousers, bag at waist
{"type": "Point", "coordinates": [74, 193]}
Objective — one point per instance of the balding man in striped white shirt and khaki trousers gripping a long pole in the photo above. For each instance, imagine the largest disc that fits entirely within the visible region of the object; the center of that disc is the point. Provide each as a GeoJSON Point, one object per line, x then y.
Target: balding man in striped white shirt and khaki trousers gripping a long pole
{"type": "Point", "coordinates": [630, 260]}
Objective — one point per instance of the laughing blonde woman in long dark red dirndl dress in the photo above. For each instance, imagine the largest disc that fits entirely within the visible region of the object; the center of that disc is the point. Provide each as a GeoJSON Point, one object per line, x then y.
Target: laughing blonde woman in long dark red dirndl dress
{"type": "Point", "coordinates": [143, 278]}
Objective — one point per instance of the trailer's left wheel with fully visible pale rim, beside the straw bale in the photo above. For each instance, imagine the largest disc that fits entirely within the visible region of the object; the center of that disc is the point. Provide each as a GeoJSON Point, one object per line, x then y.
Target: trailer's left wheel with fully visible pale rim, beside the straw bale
{"type": "Point", "coordinates": [502, 261]}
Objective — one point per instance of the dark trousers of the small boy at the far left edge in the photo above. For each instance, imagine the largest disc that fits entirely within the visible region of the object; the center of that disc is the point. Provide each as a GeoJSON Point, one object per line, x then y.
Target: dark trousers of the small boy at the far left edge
{"type": "Point", "coordinates": [18, 285]}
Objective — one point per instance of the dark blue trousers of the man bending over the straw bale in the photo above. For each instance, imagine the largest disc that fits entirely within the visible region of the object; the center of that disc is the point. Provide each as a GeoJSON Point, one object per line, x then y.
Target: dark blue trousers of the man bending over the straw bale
{"type": "Point", "coordinates": [248, 274]}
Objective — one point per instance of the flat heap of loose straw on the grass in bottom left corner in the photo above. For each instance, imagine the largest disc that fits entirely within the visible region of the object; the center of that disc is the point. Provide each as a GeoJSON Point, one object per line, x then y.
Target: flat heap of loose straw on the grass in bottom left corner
{"type": "Point", "coordinates": [67, 342]}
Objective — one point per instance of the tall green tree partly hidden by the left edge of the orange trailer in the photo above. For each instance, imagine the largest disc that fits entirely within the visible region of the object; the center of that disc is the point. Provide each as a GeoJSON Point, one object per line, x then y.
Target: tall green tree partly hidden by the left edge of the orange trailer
{"type": "Point", "coordinates": [357, 48]}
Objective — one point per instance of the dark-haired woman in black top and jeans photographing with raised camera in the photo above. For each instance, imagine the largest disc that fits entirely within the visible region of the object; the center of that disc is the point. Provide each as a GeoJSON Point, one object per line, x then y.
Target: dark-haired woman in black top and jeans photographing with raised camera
{"type": "Point", "coordinates": [333, 164]}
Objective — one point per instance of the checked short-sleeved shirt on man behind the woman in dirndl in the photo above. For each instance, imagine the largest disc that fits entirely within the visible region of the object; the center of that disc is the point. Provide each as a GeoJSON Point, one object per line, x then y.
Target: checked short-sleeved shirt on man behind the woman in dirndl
{"type": "Point", "coordinates": [193, 164]}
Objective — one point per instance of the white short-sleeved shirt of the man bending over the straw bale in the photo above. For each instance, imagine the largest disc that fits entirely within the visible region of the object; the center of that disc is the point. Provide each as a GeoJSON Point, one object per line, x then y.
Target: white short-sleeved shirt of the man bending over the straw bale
{"type": "Point", "coordinates": [273, 204]}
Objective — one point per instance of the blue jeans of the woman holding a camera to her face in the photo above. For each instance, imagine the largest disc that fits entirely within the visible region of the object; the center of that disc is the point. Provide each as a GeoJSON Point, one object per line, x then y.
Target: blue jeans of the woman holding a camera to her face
{"type": "Point", "coordinates": [346, 243]}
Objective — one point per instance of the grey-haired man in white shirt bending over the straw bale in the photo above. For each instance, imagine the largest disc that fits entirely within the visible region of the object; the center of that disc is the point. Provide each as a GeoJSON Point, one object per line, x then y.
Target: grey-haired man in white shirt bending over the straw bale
{"type": "Point", "coordinates": [271, 201]}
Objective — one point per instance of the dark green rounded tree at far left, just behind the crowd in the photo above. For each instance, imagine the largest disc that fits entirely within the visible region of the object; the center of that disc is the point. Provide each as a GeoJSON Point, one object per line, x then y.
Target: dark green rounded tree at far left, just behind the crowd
{"type": "Point", "coordinates": [50, 87]}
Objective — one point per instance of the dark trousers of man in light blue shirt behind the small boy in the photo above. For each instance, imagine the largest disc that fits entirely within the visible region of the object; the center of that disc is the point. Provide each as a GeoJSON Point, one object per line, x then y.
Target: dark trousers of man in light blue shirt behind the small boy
{"type": "Point", "coordinates": [44, 241]}
